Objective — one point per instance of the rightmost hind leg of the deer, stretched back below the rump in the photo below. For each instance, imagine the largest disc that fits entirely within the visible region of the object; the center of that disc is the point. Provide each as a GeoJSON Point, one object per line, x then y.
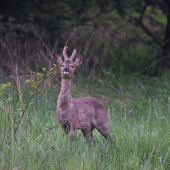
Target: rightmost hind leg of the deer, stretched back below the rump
{"type": "Point", "coordinates": [104, 130]}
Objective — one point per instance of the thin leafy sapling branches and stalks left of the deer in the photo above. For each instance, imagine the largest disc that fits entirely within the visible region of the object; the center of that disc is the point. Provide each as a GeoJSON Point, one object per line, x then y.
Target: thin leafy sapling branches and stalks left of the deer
{"type": "Point", "coordinates": [20, 106]}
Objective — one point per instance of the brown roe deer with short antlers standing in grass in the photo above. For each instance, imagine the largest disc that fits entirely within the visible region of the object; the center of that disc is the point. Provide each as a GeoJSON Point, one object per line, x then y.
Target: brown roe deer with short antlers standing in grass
{"type": "Point", "coordinates": [78, 113]}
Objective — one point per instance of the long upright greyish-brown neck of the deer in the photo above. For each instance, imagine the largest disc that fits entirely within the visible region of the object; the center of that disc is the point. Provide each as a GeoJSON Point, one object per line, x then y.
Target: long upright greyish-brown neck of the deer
{"type": "Point", "coordinates": [64, 99]}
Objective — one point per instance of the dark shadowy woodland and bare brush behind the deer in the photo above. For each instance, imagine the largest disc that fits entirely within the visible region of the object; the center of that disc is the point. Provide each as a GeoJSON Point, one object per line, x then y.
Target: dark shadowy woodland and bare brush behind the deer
{"type": "Point", "coordinates": [130, 36]}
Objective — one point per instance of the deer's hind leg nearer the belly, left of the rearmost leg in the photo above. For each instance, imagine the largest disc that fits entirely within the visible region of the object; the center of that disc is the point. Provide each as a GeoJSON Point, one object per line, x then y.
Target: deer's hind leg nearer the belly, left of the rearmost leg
{"type": "Point", "coordinates": [88, 135]}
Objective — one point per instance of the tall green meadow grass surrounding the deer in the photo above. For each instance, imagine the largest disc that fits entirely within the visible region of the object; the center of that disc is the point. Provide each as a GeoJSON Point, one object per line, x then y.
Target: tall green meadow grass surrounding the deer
{"type": "Point", "coordinates": [139, 124]}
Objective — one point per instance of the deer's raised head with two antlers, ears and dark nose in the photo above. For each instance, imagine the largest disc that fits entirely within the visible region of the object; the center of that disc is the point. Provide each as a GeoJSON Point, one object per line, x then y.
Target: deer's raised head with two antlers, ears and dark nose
{"type": "Point", "coordinates": [68, 66]}
